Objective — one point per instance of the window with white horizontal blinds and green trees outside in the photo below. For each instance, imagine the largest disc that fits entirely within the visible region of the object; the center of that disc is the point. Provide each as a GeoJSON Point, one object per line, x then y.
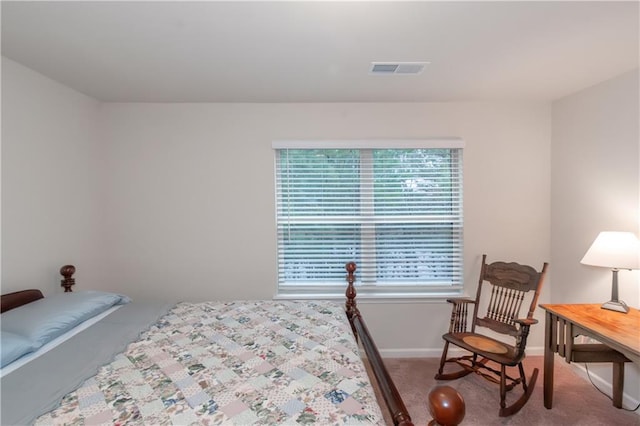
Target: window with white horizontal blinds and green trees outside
{"type": "Point", "coordinates": [394, 208]}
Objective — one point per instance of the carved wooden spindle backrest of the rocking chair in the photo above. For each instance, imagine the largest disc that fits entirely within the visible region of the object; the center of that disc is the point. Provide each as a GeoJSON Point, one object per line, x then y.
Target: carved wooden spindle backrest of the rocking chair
{"type": "Point", "coordinates": [510, 286]}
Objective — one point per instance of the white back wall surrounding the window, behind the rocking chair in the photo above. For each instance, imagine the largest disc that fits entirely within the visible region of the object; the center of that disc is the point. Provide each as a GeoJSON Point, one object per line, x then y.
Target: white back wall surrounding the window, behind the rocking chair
{"type": "Point", "coordinates": [191, 197]}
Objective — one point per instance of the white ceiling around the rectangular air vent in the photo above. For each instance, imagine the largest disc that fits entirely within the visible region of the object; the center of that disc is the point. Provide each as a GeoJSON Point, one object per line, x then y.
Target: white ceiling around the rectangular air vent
{"type": "Point", "coordinates": [321, 51]}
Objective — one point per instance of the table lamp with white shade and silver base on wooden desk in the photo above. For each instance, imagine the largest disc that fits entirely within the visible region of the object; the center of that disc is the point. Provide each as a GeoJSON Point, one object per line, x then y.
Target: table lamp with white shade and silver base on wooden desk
{"type": "Point", "coordinates": [615, 250]}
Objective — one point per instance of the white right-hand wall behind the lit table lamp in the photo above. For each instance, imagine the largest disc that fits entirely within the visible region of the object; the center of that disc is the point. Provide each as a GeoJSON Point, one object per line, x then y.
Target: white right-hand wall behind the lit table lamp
{"type": "Point", "coordinates": [595, 187]}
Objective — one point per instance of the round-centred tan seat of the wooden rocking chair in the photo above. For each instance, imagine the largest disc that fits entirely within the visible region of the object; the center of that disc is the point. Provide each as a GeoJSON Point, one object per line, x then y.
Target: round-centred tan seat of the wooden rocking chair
{"type": "Point", "coordinates": [485, 346]}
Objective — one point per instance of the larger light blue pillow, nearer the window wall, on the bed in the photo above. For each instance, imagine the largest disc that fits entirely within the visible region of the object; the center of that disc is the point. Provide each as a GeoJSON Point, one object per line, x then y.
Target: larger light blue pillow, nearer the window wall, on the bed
{"type": "Point", "coordinates": [45, 319]}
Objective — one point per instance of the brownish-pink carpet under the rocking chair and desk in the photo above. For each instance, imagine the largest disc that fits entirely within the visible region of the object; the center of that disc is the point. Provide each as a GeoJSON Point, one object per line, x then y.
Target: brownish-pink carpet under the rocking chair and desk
{"type": "Point", "coordinates": [575, 402]}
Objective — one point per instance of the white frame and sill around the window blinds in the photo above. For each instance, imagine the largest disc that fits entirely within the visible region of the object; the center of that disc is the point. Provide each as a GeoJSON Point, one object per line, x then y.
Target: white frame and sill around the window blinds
{"type": "Point", "coordinates": [336, 290]}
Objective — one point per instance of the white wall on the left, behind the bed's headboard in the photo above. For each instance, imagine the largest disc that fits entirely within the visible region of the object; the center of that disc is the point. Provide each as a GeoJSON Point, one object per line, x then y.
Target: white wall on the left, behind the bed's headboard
{"type": "Point", "coordinates": [51, 199]}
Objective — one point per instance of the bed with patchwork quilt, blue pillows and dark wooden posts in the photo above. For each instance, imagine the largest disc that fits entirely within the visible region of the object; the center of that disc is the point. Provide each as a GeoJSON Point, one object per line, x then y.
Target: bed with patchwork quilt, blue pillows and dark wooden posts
{"type": "Point", "coordinates": [233, 362]}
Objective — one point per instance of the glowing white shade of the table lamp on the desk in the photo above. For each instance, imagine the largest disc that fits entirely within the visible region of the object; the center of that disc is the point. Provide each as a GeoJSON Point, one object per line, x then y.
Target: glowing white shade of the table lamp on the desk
{"type": "Point", "coordinates": [616, 250]}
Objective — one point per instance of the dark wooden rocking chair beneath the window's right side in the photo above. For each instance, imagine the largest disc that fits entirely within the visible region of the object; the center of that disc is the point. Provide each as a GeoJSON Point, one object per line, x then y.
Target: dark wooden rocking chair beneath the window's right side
{"type": "Point", "coordinates": [509, 284]}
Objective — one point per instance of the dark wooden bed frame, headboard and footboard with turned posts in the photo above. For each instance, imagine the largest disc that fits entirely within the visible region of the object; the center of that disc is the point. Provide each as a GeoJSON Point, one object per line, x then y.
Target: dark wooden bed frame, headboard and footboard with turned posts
{"type": "Point", "coordinates": [395, 405]}
